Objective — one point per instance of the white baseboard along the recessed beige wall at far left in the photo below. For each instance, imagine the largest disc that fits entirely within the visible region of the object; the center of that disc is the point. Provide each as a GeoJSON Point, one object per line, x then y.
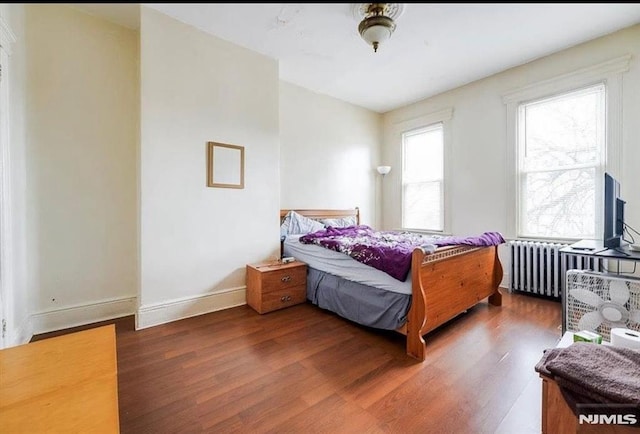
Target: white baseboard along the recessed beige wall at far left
{"type": "Point", "coordinates": [74, 316]}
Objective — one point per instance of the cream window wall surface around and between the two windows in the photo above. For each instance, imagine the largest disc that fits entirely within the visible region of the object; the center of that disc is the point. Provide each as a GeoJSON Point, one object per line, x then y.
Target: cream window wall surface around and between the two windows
{"type": "Point", "coordinates": [479, 142]}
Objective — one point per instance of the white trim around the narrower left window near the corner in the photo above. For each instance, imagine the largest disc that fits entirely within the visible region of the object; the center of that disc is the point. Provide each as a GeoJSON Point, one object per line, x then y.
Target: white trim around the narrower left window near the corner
{"type": "Point", "coordinates": [444, 117]}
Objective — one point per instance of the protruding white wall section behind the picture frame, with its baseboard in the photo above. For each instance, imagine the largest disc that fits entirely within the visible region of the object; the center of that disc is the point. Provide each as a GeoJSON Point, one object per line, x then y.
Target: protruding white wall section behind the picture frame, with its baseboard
{"type": "Point", "coordinates": [195, 241]}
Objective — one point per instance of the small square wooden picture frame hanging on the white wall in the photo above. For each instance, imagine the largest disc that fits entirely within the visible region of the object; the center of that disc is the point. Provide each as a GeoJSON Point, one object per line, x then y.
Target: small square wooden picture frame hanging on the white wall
{"type": "Point", "coordinates": [225, 165]}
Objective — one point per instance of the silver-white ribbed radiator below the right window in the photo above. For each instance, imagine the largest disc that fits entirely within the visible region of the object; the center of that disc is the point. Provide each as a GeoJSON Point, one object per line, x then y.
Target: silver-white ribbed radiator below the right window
{"type": "Point", "coordinates": [539, 268]}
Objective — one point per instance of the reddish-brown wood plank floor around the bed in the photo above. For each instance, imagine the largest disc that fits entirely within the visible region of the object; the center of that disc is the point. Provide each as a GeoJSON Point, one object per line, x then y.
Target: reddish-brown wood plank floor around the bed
{"type": "Point", "coordinates": [303, 370]}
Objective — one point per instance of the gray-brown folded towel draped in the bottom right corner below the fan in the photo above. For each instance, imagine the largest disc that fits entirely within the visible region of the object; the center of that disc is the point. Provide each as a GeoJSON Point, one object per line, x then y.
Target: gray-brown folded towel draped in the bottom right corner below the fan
{"type": "Point", "coordinates": [588, 373]}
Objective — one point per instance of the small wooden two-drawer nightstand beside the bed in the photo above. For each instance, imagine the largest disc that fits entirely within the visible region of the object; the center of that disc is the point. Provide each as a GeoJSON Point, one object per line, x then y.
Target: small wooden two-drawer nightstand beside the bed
{"type": "Point", "coordinates": [272, 286]}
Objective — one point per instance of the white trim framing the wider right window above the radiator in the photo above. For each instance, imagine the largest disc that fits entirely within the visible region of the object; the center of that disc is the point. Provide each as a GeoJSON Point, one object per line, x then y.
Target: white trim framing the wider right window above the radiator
{"type": "Point", "coordinates": [609, 73]}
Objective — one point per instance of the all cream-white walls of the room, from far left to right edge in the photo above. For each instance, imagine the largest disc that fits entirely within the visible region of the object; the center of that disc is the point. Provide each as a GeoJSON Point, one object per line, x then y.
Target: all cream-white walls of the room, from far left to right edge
{"type": "Point", "coordinates": [96, 192]}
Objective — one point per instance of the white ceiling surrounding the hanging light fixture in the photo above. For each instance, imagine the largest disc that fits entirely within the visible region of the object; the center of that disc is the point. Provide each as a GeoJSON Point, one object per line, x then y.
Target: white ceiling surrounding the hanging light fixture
{"type": "Point", "coordinates": [436, 47]}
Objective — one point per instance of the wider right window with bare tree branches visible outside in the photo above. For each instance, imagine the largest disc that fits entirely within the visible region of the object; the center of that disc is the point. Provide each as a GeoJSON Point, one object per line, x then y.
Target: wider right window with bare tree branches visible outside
{"type": "Point", "coordinates": [561, 156]}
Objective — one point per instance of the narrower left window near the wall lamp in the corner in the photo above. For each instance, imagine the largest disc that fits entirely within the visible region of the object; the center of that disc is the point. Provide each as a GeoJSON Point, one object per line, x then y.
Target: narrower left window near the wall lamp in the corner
{"type": "Point", "coordinates": [423, 178]}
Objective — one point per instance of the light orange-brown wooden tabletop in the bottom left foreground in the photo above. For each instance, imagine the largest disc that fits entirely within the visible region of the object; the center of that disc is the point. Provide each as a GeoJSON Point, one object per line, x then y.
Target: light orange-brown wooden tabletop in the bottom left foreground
{"type": "Point", "coordinates": [65, 384]}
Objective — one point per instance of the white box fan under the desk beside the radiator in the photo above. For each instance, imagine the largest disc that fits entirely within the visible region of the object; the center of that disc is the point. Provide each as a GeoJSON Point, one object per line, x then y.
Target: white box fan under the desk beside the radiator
{"type": "Point", "coordinates": [599, 302]}
